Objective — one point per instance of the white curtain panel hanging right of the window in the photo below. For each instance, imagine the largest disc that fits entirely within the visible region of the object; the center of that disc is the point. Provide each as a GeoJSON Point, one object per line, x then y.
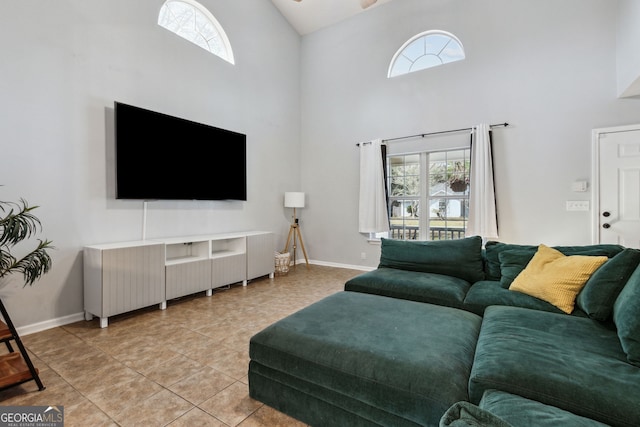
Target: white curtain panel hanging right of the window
{"type": "Point", "coordinates": [482, 198]}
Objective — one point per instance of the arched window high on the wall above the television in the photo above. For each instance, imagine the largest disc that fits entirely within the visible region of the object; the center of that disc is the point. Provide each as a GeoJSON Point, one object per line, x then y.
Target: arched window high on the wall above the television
{"type": "Point", "coordinates": [192, 21]}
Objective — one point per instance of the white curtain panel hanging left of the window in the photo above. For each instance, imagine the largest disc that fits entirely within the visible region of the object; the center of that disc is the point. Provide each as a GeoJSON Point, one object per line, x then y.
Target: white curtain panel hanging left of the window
{"type": "Point", "coordinates": [373, 217]}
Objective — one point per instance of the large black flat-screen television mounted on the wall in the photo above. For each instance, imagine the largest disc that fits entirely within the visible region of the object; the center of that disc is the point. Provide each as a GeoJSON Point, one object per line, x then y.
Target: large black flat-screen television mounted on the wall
{"type": "Point", "coordinates": [161, 157]}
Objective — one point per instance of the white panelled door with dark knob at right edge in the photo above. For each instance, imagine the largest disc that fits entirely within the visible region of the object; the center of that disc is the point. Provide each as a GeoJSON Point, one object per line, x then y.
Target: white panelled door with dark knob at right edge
{"type": "Point", "coordinates": [617, 186]}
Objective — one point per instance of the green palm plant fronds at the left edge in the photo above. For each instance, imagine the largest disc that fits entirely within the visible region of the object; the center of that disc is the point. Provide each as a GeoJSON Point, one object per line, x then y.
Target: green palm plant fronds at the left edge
{"type": "Point", "coordinates": [18, 223]}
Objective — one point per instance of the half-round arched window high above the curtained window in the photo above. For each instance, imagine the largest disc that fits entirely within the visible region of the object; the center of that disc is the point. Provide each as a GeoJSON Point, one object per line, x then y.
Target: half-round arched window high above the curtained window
{"type": "Point", "coordinates": [425, 50]}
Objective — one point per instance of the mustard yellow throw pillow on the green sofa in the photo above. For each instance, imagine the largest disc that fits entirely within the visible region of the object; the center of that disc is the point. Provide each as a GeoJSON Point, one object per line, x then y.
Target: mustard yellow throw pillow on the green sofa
{"type": "Point", "coordinates": [556, 278]}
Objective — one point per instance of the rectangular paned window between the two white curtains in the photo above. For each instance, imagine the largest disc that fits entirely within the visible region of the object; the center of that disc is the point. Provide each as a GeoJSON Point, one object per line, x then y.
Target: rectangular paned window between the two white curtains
{"type": "Point", "coordinates": [428, 194]}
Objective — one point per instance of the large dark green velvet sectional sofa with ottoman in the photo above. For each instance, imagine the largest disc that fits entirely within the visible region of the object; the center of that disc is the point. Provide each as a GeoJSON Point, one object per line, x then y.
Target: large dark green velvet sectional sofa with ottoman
{"type": "Point", "coordinates": [435, 336]}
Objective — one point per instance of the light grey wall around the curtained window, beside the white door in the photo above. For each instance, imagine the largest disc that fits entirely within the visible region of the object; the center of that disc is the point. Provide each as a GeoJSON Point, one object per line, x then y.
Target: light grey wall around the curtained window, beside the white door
{"type": "Point", "coordinates": [546, 67]}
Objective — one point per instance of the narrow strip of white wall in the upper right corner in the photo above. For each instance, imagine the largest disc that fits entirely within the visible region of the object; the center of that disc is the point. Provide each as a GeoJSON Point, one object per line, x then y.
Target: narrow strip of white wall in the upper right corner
{"type": "Point", "coordinates": [628, 51]}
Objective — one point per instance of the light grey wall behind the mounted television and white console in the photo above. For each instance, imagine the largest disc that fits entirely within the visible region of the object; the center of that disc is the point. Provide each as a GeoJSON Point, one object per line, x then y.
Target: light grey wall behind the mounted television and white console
{"type": "Point", "coordinates": [65, 62]}
